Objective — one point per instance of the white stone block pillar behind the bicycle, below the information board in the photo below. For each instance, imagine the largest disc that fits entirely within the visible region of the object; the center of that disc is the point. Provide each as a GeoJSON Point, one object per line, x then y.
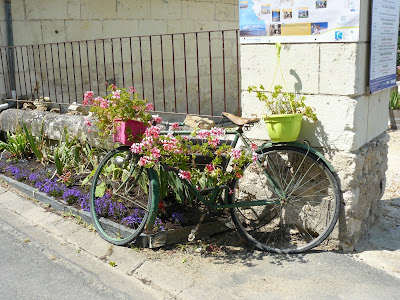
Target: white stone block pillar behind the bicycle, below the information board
{"type": "Point", "coordinates": [352, 123]}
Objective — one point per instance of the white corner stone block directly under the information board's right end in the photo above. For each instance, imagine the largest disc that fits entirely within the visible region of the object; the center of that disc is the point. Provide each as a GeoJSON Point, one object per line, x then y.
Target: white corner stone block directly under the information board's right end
{"type": "Point", "coordinates": [340, 69]}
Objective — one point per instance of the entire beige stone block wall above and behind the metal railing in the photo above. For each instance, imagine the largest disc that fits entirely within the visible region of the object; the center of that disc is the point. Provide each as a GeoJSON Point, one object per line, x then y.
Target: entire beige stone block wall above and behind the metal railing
{"type": "Point", "coordinates": [58, 21]}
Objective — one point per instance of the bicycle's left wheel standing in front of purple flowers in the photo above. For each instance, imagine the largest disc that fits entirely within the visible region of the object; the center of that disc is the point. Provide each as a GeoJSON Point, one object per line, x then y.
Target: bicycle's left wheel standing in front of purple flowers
{"type": "Point", "coordinates": [120, 197]}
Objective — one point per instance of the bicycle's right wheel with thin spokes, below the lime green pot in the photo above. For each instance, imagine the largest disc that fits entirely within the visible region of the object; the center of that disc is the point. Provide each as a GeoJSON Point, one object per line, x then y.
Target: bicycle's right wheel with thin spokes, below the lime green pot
{"type": "Point", "coordinates": [298, 200]}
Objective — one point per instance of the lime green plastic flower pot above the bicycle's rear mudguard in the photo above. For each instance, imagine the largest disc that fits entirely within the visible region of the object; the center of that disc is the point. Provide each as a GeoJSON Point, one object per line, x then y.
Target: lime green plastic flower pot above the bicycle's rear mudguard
{"type": "Point", "coordinates": [283, 128]}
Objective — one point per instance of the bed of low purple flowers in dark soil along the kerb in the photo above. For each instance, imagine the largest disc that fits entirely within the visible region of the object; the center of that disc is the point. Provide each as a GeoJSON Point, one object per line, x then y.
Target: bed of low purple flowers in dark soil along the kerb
{"type": "Point", "coordinates": [172, 215]}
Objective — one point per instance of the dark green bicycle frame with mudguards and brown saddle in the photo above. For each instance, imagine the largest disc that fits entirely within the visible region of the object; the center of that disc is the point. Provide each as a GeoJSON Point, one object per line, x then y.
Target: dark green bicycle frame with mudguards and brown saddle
{"type": "Point", "coordinates": [215, 191]}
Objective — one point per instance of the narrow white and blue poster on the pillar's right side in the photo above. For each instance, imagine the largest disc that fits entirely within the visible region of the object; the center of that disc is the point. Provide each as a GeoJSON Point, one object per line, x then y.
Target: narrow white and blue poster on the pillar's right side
{"type": "Point", "coordinates": [384, 34]}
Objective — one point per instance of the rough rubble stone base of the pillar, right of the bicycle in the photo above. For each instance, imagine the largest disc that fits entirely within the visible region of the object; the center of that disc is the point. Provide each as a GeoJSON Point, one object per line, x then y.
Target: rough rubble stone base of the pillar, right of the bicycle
{"type": "Point", "coordinates": [362, 178]}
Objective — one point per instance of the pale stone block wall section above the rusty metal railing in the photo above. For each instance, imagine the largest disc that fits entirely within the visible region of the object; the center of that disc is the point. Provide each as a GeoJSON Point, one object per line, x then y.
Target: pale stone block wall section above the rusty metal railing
{"type": "Point", "coordinates": [45, 21]}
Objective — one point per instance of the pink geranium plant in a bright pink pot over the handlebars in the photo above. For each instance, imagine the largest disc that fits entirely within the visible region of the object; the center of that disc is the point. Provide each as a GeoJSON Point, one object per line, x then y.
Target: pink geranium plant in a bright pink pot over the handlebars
{"type": "Point", "coordinates": [121, 113]}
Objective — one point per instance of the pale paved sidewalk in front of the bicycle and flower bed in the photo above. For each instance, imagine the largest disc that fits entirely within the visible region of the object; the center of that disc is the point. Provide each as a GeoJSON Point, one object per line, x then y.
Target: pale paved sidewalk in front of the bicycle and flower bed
{"type": "Point", "coordinates": [176, 275]}
